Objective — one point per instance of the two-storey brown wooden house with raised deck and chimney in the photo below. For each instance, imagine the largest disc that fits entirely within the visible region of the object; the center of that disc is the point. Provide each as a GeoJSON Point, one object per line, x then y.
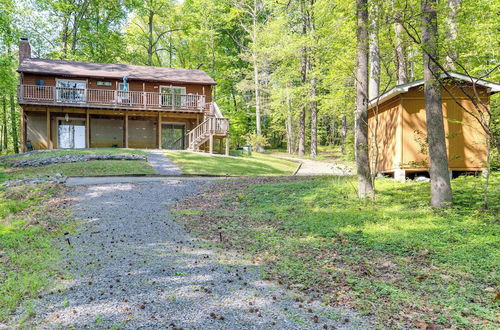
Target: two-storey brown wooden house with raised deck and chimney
{"type": "Point", "coordinates": [68, 104]}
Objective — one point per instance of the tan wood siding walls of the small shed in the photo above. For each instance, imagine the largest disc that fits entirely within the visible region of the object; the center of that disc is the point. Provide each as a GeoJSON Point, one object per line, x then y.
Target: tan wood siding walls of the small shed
{"type": "Point", "coordinates": [402, 132]}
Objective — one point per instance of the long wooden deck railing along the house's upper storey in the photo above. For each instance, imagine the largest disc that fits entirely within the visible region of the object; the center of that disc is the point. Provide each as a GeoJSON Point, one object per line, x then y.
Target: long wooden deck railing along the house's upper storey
{"type": "Point", "coordinates": [105, 97]}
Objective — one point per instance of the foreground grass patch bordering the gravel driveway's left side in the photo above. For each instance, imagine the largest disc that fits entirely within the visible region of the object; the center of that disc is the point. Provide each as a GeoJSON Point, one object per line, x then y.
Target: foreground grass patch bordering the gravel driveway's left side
{"type": "Point", "coordinates": [28, 225]}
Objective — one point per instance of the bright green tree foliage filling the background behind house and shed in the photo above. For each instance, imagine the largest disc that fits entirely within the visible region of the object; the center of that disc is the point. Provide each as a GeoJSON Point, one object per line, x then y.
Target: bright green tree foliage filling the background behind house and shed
{"type": "Point", "coordinates": [219, 37]}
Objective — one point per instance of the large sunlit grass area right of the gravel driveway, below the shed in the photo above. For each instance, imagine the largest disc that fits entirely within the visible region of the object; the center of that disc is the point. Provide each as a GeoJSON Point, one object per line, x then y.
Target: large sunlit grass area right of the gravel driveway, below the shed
{"type": "Point", "coordinates": [394, 258]}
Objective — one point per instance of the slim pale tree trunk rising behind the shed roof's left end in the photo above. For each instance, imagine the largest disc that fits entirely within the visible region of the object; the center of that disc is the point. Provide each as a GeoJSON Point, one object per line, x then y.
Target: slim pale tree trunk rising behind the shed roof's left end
{"type": "Point", "coordinates": [374, 83]}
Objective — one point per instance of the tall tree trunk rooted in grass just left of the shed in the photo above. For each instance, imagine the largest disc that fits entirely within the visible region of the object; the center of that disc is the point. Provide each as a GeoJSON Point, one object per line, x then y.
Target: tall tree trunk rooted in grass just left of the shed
{"type": "Point", "coordinates": [365, 187]}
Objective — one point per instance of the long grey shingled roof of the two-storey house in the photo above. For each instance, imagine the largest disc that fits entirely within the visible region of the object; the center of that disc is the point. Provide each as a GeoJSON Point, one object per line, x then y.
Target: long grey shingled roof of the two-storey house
{"type": "Point", "coordinates": [114, 71]}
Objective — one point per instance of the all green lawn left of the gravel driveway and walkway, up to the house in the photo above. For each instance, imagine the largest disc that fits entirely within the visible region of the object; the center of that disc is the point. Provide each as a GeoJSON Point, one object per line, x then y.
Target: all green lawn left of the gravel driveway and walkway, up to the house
{"type": "Point", "coordinates": [30, 219]}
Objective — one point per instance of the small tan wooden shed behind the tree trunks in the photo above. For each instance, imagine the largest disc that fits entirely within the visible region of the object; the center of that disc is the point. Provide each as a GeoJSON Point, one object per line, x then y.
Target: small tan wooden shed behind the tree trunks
{"type": "Point", "coordinates": [397, 122]}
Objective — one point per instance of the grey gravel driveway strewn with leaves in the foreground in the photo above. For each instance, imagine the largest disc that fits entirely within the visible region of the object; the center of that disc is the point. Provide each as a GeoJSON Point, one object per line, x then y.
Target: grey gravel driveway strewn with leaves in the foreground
{"type": "Point", "coordinates": [131, 266]}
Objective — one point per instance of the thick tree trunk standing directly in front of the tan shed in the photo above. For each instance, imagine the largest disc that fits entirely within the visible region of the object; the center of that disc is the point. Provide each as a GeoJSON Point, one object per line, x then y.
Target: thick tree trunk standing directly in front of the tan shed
{"type": "Point", "coordinates": [441, 195]}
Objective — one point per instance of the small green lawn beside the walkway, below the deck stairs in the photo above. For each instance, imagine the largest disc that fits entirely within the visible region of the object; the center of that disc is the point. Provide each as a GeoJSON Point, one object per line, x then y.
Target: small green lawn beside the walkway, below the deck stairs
{"type": "Point", "coordinates": [241, 165]}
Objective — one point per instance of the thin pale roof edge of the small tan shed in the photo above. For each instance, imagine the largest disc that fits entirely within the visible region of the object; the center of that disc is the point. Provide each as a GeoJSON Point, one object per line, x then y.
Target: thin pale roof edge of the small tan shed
{"type": "Point", "coordinates": [400, 89]}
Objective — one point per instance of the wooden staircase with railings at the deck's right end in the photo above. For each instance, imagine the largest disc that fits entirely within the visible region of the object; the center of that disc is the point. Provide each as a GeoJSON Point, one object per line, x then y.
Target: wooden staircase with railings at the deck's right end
{"type": "Point", "coordinates": [214, 126]}
